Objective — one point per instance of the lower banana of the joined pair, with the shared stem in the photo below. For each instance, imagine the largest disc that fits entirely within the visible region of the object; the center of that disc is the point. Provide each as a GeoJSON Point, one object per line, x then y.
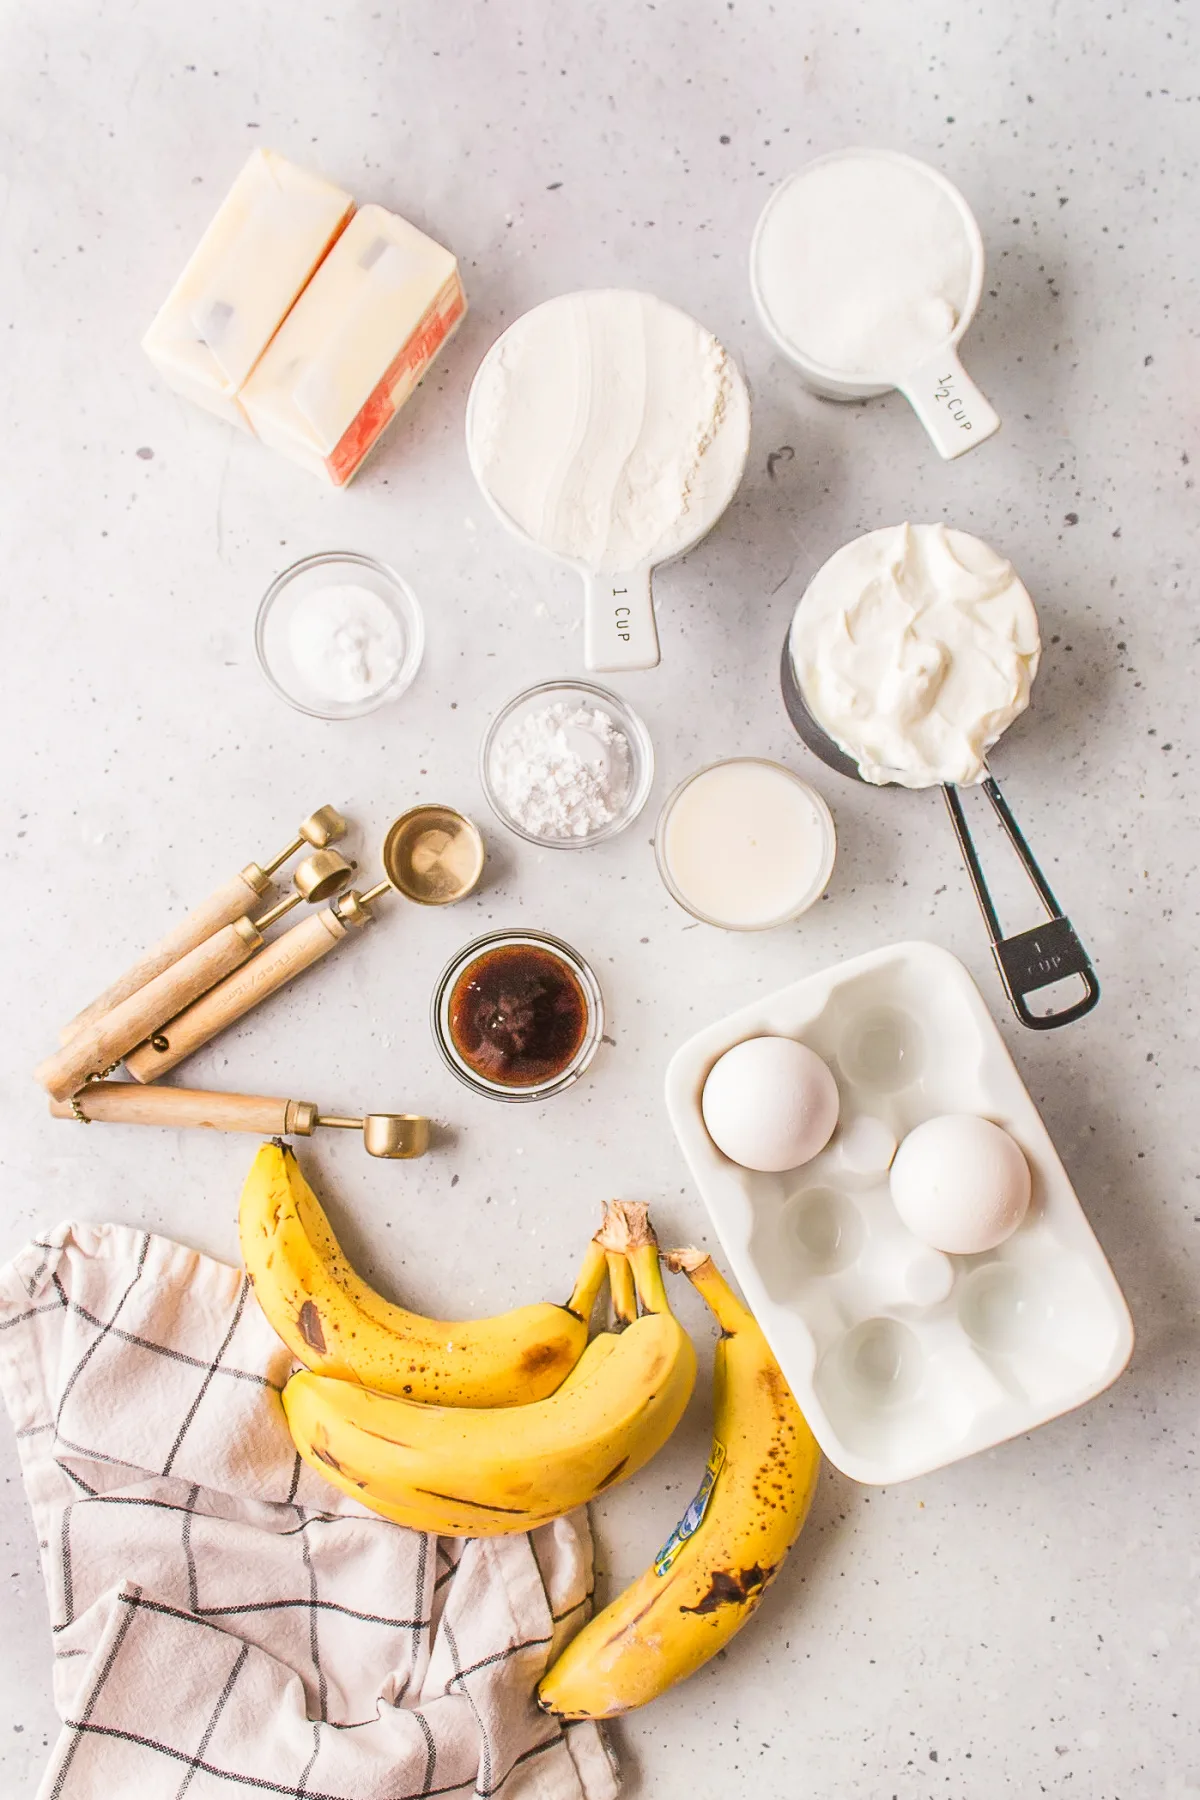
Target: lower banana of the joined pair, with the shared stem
{"type": "Point", "coordinates": [472, 1471]}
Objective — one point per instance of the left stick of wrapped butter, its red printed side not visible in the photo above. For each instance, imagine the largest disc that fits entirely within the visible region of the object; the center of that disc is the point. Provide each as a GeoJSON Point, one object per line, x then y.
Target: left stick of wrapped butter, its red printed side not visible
{"type": "Point", "coordinates": [271, 233]}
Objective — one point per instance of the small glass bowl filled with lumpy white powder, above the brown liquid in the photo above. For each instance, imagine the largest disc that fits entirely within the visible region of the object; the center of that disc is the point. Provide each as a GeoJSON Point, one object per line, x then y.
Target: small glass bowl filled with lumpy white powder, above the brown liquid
{"type": "Point", "coordinates": [568, 764]}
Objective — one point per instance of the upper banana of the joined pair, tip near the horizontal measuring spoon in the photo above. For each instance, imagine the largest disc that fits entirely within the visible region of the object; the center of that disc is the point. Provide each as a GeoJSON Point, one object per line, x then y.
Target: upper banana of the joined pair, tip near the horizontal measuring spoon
{"type": "Point", "coordinates": [337, 1326]}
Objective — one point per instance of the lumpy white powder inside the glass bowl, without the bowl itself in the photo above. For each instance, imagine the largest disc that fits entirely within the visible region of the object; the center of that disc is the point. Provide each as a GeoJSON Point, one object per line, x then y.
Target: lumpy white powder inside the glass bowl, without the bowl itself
{"type": "Point", "coordinates": [564, 771]}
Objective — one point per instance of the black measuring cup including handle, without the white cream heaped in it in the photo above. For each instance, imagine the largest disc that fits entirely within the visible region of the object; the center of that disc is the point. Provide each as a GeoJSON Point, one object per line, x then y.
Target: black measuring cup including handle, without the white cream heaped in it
{"type": "Point", "coordinates": [1028, 962]}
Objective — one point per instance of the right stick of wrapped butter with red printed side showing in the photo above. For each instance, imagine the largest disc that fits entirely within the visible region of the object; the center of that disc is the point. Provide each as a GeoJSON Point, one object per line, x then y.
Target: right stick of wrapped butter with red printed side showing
{"type": "Point", "coordinates": [355, 345]}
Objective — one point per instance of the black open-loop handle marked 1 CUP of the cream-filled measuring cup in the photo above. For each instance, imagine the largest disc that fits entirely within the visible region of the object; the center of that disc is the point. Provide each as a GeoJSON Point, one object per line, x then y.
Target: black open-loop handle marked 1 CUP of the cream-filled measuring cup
{"type": "Point", "coordinates": [1034, 958]}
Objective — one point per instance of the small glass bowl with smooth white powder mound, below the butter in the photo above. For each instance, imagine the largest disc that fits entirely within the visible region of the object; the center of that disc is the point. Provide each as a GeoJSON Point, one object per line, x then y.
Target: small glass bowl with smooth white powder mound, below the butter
{"type": "Point", "coordinates": [339, 634]}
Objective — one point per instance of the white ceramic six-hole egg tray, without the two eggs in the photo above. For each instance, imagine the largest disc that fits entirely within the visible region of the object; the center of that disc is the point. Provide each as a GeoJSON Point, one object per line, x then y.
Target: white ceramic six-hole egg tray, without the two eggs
{"type": "Point", "coordinates": [904, 1360]}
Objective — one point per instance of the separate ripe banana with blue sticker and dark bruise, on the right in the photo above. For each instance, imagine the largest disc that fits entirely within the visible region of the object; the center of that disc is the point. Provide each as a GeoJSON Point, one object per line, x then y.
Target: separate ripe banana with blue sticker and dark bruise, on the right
{"type": "Point", "coordinates": [717, 1563]}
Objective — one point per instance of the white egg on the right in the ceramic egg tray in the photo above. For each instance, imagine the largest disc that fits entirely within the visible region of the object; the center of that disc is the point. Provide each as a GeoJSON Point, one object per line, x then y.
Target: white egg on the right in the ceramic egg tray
{"type": "Point", "coordinates": [960, 1183]}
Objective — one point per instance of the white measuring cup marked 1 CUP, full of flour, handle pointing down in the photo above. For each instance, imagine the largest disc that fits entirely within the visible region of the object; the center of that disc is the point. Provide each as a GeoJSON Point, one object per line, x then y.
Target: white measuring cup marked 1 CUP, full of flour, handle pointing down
{"type": "Point", "coordinates": [611, 431]}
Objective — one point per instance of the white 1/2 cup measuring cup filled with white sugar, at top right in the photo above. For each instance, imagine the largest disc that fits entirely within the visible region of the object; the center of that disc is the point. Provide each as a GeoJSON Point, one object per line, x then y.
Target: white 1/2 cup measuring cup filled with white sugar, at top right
{"type": "Point", "coordinates": [866, 271]}
